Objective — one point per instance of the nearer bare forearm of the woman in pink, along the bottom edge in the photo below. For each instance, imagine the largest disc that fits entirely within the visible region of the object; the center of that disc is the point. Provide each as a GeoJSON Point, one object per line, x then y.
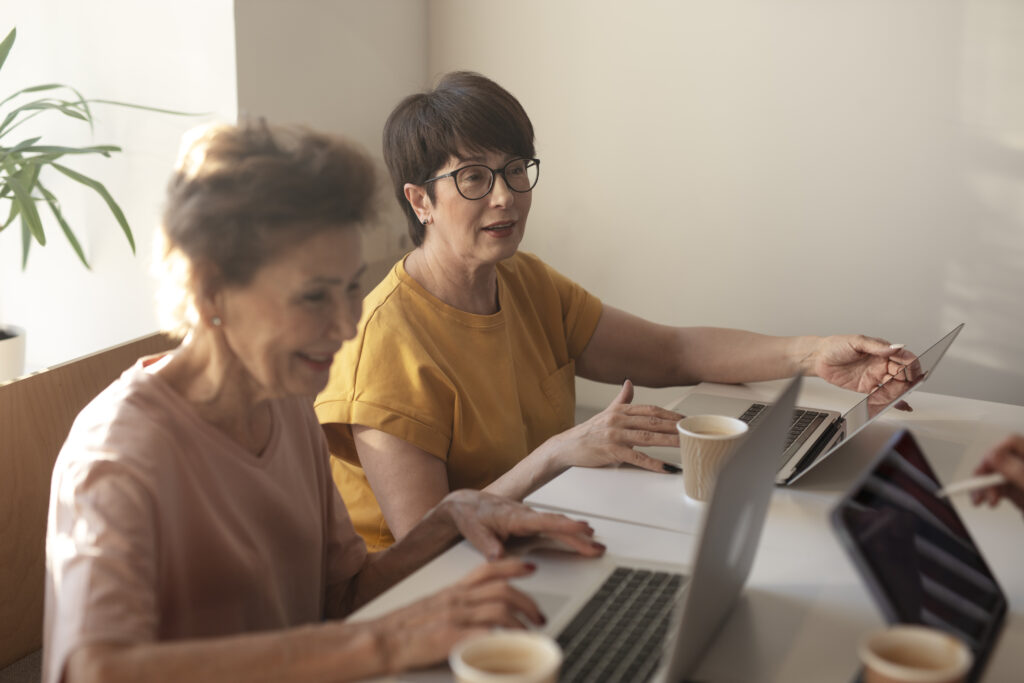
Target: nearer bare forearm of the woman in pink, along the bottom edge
{"type": "Point", "coordinates": [331, 652]}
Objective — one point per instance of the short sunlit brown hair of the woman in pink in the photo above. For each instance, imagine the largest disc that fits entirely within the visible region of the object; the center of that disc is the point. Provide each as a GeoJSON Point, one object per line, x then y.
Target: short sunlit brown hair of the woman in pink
{"type": "Point", "coordinates": [241, 193]}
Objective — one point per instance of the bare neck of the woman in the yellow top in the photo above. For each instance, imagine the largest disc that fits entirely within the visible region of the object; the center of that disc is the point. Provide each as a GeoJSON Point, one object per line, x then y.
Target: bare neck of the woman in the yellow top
{"type": "Point", "coordinates": [470, 288]}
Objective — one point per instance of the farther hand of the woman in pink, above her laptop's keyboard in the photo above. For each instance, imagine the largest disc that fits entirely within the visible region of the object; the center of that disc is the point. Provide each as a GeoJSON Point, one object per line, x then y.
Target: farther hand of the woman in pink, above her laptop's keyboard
{"type": "Point", "coordinates": [488, 522]}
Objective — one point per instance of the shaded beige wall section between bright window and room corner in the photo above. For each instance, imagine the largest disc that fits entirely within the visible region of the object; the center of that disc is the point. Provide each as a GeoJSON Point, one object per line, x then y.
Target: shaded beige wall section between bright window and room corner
{"type": "Point", "coordinates": [339, 67]}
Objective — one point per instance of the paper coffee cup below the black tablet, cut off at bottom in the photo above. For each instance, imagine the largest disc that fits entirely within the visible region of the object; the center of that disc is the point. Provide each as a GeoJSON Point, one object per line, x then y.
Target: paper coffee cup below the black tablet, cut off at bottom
{"type": "Point", "coordinates": [909, 654]}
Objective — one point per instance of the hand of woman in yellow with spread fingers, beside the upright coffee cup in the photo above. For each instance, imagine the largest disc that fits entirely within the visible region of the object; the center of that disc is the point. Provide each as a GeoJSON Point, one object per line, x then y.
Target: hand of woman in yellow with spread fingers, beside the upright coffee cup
{"type": "Point", "coordinates": [610, 437]}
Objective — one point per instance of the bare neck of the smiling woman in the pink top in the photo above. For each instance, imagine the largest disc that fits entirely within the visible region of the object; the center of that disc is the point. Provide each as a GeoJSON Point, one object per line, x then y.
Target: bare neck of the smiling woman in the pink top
{"type": "Point", "coordinates": [212, 379]}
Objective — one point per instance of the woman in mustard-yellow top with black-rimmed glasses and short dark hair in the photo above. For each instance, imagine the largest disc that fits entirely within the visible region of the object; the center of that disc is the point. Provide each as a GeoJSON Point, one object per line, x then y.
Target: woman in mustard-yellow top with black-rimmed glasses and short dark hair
{"type": "Point", "coordinates": [463, 372]}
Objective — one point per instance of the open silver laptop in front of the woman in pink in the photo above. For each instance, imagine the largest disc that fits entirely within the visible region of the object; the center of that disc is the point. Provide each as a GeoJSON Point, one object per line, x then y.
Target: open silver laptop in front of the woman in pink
{"type": "Point", "coordinates": [621, 620]}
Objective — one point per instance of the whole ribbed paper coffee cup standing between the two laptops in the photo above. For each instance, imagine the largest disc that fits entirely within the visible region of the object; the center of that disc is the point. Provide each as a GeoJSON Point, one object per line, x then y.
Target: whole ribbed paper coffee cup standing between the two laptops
{"type": "Point", "coordinates": [705, 444]}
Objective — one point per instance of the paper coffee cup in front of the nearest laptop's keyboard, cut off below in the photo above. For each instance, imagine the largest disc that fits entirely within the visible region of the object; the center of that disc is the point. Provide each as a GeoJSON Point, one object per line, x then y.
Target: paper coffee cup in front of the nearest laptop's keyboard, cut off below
{"type": "Point", "coordinates": [506, 657]}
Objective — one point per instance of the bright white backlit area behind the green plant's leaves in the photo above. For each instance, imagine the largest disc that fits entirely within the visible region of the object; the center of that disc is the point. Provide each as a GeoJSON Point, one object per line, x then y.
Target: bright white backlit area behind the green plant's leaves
{"type": "Point", "coordinates": [177, 56]}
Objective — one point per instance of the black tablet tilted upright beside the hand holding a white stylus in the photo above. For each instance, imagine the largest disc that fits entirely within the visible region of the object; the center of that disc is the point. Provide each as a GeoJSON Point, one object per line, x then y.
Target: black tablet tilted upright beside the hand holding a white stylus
{"type": "Point", "coordinates": [915, 554]}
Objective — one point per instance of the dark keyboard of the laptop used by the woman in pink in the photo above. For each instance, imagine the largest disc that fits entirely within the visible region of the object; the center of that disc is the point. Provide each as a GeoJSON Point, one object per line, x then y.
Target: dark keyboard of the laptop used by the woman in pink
{"type": "Point", "coordinates": [620, 633]}
